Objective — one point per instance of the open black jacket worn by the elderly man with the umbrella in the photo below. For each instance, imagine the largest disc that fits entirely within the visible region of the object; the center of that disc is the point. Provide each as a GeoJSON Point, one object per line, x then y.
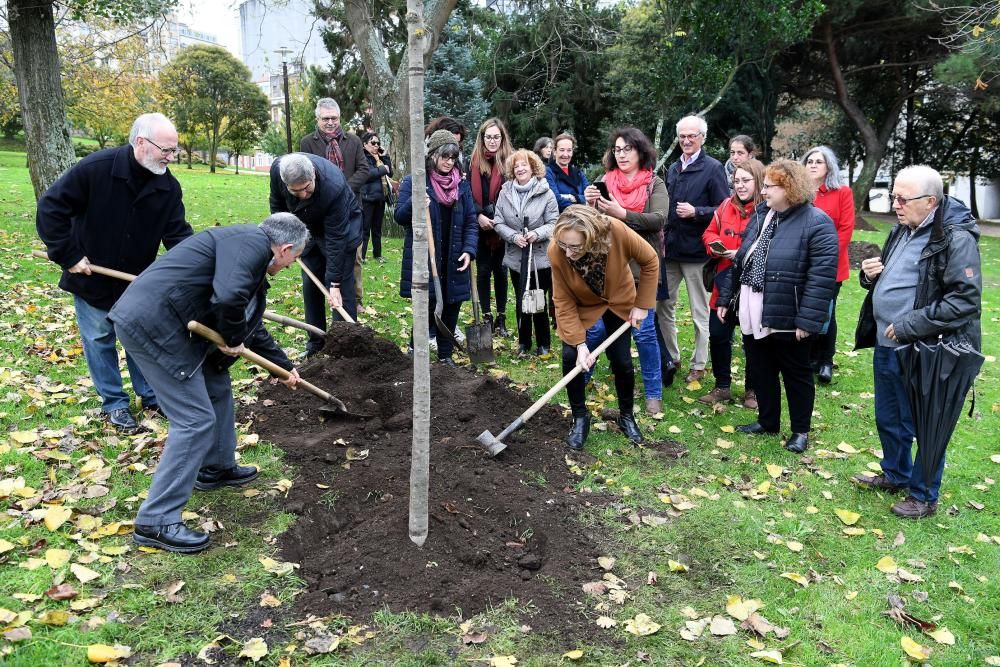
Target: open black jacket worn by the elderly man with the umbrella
{"type": "Point", "coordinates": [949, 282]}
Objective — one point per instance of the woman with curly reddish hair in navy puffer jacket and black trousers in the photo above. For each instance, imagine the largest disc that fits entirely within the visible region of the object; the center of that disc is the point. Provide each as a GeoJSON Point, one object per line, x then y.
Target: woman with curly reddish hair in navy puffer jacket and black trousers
{"type": "Point", "coordinates": [784, 274]}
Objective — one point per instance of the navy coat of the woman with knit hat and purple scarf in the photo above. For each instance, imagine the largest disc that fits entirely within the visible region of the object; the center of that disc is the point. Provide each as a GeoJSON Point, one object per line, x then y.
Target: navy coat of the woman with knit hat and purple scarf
{"type": "Point", "coordinates": [463, 236]}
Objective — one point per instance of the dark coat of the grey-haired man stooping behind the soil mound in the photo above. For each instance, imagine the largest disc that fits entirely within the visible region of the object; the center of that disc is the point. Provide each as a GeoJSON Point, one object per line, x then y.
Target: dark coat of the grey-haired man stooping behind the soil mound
{"type": "Point", "coordinates": [332, 215]}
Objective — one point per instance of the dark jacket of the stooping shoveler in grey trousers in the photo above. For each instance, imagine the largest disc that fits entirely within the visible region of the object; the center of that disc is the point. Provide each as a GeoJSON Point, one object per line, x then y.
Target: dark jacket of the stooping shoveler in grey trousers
{"type": "Point", "coordinates": [212, 278]}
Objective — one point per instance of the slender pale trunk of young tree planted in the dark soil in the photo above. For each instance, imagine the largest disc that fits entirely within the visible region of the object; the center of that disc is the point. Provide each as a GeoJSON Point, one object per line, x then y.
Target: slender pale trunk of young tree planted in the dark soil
{"type": "Point", "coordinates": [420, 456]}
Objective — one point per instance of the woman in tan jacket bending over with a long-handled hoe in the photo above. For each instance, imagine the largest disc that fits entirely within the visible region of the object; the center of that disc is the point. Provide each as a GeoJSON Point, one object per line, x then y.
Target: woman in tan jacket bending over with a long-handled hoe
{"type": "Point", "coordinates": [592, 280]}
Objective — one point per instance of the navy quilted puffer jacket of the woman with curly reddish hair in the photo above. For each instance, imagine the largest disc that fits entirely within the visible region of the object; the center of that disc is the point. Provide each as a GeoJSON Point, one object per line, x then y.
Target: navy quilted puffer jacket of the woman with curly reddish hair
{"type": "Point", "coordinates": [800, 271]}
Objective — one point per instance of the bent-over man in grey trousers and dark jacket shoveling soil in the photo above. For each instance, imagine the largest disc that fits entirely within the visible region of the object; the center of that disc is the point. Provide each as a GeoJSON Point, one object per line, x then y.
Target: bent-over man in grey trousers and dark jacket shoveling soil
{"type": "Point", "coordinates": [218, 278]}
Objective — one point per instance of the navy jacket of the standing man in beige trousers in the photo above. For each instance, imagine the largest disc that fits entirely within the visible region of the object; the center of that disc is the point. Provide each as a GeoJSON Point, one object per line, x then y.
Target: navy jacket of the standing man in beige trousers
{"type": "Point", "coordinates": [703, 185]}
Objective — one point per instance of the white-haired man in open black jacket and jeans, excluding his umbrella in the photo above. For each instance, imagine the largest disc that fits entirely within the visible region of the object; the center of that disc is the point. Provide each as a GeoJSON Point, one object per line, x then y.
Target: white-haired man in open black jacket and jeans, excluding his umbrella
{"type": "Point", "coordinates": [927, 282]}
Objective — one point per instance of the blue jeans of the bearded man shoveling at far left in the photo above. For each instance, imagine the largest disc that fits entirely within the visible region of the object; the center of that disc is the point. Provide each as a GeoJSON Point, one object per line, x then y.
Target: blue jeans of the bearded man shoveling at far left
{"type": "Point", "coordinates": [98, 335]}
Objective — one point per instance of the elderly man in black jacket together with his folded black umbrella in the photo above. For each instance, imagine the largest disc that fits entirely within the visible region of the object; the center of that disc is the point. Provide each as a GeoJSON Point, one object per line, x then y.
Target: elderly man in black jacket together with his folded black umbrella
{"type": "Point", "coordinates": [926, 284]}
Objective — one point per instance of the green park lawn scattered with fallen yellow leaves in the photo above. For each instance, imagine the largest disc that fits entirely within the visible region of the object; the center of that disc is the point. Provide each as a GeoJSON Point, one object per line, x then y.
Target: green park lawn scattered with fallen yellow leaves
{"type": "Point", "coordinates": [745, 524]}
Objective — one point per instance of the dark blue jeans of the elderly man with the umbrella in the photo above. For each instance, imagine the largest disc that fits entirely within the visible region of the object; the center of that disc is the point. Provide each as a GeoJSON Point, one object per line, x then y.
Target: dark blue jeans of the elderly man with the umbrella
{"type": "Point", "coordinates": [895, 429]}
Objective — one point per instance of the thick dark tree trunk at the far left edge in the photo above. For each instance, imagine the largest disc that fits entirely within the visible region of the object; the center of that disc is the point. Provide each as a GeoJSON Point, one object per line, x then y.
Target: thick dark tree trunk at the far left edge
{"type": "Point", "coordinates": [39, 90]}
